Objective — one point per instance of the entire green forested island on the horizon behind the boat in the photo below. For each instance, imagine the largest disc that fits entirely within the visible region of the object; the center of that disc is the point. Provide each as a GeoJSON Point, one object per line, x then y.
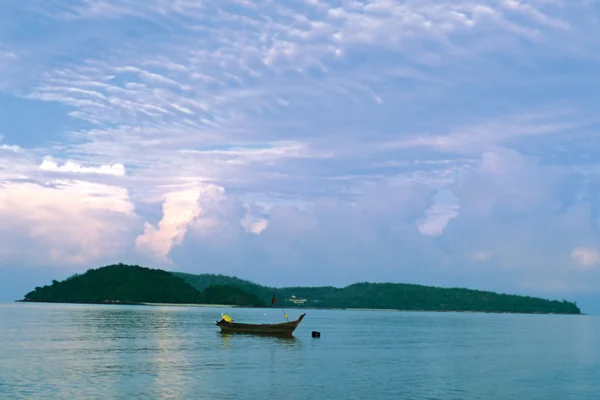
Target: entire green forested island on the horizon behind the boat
{"type": "Point", "coordinates": [132, 284]}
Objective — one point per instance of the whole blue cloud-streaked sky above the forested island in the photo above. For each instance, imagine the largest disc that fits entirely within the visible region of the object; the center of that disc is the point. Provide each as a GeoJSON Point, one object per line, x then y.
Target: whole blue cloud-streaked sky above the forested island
{"type": "Point", "coordinates": [305, 142]}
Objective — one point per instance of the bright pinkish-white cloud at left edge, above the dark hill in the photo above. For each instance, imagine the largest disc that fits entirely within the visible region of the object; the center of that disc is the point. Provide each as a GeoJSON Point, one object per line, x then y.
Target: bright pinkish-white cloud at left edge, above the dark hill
{"type": "Point", "coordinates": [67, 222]}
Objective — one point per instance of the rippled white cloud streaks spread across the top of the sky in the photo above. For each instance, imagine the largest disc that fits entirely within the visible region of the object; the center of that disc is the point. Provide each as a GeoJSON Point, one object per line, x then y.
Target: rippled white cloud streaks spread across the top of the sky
{"type": "Point", "coordinates": [281, 40]}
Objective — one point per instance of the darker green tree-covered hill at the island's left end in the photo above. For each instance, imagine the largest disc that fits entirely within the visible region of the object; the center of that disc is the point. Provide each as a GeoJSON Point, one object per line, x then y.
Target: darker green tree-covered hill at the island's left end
{"type": "Point", "coordinates": [128, 284]}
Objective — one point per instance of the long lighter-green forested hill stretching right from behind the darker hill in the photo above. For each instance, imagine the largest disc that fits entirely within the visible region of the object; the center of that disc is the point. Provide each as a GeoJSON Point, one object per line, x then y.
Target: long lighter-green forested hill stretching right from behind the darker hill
{"type": "Point", "coordinates": [397, 296]}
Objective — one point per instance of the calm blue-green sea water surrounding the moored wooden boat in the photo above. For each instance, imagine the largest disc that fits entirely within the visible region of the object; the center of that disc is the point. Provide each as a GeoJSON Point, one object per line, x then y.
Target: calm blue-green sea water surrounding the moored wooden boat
{"type": "Point", "coordinates": [121, 352]}
